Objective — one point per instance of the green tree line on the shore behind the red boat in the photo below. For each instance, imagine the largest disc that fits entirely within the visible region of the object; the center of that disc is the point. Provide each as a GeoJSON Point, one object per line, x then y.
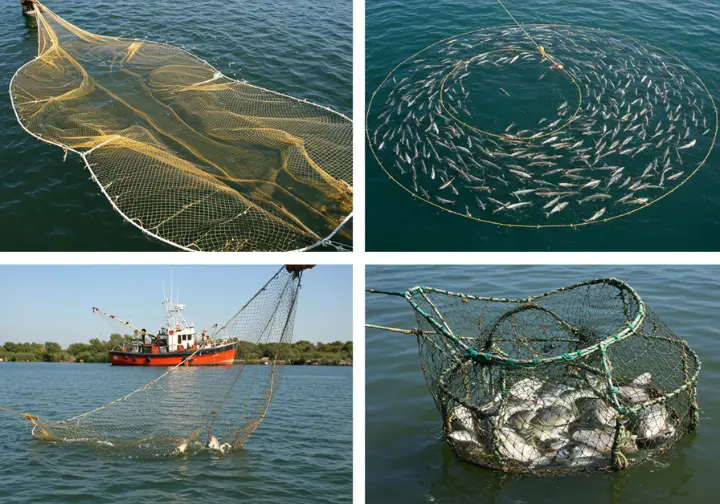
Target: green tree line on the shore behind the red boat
{"type": "Point", "coordinates": [96, 350]}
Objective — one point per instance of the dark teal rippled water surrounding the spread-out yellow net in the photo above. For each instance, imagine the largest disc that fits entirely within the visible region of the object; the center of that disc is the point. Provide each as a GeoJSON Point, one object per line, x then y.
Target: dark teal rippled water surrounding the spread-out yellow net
{"type": "Point", "coordinates": [298, 47]}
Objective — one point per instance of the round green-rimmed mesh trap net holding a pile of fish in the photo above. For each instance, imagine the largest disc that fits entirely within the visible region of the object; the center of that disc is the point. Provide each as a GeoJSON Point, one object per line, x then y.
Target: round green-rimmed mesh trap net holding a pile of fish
{"type": "Point", "coordinates": [581, 378]}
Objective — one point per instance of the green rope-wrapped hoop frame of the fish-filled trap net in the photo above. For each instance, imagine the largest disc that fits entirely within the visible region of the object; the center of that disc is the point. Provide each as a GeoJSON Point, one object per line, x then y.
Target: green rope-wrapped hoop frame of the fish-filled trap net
{"type": "Point", "coordinates": [444, 396]}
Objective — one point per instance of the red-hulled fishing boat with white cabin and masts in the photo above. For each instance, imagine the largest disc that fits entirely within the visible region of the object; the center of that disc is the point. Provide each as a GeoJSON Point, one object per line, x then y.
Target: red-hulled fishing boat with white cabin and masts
{"type": "Point", "coordinates": [176, 342]}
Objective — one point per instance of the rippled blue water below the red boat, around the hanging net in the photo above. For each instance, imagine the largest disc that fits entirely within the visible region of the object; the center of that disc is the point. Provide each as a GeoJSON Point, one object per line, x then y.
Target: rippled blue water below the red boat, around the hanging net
{"type": "Point", "coordinates": [302, 452]}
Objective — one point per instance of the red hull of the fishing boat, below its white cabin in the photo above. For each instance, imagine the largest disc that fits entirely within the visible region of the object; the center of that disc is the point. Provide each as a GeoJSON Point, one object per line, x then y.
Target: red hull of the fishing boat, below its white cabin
{"type": "Point", "coordinates": [219, 356]}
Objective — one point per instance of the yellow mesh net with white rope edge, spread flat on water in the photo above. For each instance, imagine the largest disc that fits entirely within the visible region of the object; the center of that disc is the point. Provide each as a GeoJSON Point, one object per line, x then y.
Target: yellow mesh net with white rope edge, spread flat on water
{"type": "Point", "coordinates": [186, 154]}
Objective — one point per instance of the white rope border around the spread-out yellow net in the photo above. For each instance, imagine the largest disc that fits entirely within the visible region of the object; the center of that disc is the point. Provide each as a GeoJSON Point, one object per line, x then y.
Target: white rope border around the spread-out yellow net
{"type": "Point", "coordinates": [94, 178]}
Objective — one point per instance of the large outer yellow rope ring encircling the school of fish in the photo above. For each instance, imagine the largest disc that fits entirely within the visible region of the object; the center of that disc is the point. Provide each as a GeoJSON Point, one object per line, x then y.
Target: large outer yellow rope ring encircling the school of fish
{"type": "Point", "coordinates": [540, 226]}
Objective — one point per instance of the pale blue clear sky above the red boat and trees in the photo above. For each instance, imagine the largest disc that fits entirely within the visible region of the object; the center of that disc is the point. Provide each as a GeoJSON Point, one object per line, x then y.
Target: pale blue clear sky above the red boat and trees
{"type": "Point", "coordinates": [42, 303]}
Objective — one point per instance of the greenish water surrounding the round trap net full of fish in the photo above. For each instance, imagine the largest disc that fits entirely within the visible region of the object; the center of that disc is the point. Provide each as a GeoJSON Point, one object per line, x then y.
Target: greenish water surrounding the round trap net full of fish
{"type": "Point", "coordinates": [406, 458]}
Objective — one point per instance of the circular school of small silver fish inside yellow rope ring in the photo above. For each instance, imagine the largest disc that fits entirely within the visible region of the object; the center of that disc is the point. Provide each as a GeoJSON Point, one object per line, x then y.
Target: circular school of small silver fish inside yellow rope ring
{"type": "Point", "coordinates": [627, 124]}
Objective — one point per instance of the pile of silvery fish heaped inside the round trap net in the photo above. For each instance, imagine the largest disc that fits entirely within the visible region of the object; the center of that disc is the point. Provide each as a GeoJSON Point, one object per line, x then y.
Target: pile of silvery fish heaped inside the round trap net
{"type": "Point", "coordinates": [542, 425]}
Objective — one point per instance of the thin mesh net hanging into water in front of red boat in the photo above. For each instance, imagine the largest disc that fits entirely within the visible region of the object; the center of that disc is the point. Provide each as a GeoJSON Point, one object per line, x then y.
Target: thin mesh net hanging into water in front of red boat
{"type": "Point", "coordinates": [189, 409]}
